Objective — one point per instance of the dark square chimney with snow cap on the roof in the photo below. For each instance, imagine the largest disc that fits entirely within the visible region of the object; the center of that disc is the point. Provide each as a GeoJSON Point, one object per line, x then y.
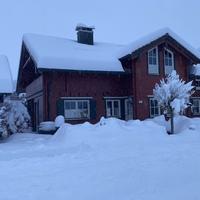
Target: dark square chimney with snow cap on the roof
{"type": "Point", "coordinates": [85, 34]}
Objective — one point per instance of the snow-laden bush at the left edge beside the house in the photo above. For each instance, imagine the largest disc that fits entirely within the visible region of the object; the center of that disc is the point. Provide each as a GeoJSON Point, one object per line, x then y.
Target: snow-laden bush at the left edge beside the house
{"type": "Point", "coordinates": [14, 117]}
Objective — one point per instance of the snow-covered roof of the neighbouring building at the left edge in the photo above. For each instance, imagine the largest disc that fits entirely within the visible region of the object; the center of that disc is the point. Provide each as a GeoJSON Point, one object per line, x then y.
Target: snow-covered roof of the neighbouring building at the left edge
{"type": "Point", "coordinates": [6, 81]}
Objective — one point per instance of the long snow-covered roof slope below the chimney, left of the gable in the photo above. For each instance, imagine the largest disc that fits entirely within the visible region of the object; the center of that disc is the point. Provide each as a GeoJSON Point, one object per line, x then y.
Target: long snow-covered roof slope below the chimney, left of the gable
{"type": "Point", "coordinates": [60, 53]}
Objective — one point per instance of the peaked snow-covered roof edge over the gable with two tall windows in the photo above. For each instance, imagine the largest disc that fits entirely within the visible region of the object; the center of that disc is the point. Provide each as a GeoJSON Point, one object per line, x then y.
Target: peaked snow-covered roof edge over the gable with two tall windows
{"type": "Point", "coordinates": [154, 36]}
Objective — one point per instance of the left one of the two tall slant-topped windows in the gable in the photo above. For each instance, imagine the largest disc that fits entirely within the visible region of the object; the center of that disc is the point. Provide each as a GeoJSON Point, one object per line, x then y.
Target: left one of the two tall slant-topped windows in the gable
{"type": "Point", "coordinates": [153, 61]}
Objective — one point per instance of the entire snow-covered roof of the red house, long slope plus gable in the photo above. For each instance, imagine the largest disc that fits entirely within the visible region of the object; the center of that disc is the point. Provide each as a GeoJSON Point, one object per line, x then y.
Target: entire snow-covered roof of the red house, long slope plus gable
{"type": "Point", "coordinates": [51, 52]}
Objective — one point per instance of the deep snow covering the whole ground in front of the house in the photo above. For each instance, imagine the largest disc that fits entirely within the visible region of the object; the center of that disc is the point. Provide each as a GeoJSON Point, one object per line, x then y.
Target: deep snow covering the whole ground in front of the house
{"type": "Point", "coordinates": [112, 160]}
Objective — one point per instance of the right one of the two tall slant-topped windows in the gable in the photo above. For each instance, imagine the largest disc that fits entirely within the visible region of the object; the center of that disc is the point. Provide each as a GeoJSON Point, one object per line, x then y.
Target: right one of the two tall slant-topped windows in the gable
{"type": "Point", "coordinates": [168, 61]}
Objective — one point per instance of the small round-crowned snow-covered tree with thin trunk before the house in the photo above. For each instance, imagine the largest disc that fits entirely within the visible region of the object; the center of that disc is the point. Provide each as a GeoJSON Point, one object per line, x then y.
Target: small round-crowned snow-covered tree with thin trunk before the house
{"type": "Point", "coordinates": [173, 95]}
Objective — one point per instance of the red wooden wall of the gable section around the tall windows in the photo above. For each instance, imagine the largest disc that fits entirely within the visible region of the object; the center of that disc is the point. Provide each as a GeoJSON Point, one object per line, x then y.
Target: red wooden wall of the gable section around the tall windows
{"type": "Point", "coordinates": [143, 83]}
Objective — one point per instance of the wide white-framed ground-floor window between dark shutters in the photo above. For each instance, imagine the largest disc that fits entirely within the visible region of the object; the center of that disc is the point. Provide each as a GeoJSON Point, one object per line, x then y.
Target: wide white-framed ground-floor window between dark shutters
{"type": "Point", "coordinates": [76, 109]}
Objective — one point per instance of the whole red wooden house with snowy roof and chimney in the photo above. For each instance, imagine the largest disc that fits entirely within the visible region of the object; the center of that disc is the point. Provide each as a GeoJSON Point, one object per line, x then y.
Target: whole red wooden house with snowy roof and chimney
{"type": "Point", "coordinates": [84, 80]}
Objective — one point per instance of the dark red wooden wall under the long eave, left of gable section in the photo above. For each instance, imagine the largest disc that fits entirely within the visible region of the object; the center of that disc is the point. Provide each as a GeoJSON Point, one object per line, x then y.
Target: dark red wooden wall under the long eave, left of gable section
{"type": "Point", "coordinates": [74, 84]}
